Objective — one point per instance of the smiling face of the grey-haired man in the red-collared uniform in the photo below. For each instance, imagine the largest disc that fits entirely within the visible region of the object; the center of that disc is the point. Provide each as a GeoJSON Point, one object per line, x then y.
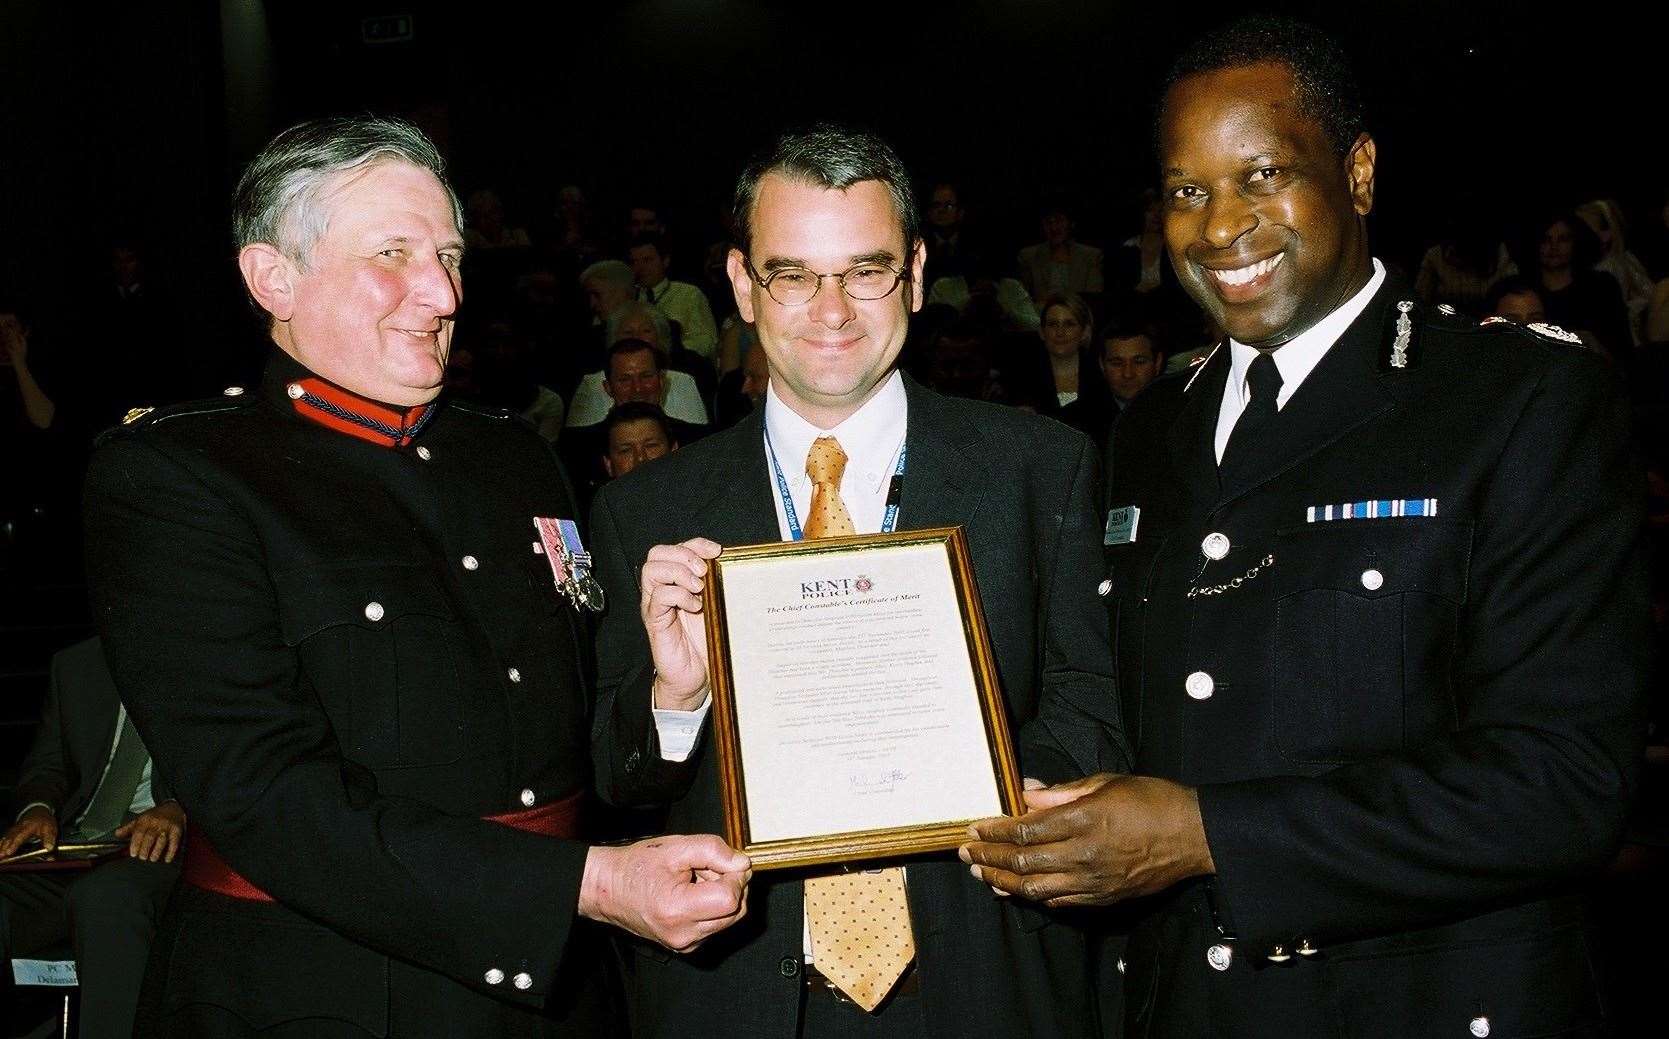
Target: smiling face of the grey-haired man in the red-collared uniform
{"type": "Point", "coordinates": [373, 309]}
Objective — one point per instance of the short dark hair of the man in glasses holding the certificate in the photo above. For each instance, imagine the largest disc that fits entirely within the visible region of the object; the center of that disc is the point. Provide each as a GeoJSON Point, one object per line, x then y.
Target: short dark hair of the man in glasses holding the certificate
{"type": "Point", "coordinates": [832, 158]}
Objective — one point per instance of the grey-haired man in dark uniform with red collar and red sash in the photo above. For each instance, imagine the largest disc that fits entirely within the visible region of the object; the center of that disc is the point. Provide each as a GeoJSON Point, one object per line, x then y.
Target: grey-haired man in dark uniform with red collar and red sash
{"type": "Point", "coordinates": [326, 611]}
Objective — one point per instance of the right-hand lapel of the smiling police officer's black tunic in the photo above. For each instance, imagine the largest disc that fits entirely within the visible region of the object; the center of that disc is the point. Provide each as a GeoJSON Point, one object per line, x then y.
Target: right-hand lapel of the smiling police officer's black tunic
{"type": "Point", "coordinates": [1339, 394]}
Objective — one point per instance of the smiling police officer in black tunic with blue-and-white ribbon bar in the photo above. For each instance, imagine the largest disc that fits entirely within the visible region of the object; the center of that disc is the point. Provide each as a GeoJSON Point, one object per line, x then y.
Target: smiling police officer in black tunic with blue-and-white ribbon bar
{"type": "Point", "coordinates": [1381, 630]}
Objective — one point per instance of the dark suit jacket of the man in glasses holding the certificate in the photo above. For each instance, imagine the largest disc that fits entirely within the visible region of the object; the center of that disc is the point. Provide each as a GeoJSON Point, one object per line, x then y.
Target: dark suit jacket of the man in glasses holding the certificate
{"type": "Point", "coordinates": [1024, 489]}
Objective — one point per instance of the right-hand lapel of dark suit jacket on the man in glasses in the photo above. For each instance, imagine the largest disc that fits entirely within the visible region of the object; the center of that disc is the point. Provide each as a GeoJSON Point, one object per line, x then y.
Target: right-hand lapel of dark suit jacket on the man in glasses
{"type": "Point", "coordinates": [944, 464]}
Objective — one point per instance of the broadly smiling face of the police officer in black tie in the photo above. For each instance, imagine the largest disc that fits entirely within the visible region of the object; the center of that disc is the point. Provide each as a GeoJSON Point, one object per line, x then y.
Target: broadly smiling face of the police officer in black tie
{"type": "Point", "coordinates": [1264, 219]}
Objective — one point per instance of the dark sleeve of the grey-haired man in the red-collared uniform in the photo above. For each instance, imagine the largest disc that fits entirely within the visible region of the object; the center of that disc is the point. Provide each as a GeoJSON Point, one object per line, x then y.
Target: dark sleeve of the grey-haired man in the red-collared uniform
{"type": "Point", "coordinates": [191, 628]}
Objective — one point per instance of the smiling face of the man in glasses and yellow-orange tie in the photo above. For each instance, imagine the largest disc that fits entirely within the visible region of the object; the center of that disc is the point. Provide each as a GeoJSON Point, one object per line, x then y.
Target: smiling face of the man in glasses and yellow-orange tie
{"type": "Point", "coordinates": [830, 354]}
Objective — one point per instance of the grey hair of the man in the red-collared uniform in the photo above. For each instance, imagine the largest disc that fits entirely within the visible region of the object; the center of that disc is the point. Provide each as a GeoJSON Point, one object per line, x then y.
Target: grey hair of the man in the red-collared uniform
{"type": "Point", "coordinates": [278, 198]}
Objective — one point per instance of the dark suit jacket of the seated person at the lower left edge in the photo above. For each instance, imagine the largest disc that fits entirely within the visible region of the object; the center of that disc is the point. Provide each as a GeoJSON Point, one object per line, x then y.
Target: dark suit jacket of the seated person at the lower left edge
{"type": "Point", "coordinates": [73, 745]}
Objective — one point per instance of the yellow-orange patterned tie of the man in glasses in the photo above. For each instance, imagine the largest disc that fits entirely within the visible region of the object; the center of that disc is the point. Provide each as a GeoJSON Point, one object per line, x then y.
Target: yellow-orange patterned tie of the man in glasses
{"type": "Point", "coordinates": [859, 921]}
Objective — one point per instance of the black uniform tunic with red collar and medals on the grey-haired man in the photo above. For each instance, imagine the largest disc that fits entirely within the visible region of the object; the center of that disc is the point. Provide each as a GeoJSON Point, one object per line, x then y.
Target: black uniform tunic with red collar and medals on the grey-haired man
{"type": "Point", "coordinates": [345, 653]}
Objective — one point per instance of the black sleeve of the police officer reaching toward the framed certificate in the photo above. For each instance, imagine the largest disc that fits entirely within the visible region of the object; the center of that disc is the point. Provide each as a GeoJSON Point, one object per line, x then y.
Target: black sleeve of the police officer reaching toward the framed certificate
{"type": "Point", "coordinates": [1531, 786]}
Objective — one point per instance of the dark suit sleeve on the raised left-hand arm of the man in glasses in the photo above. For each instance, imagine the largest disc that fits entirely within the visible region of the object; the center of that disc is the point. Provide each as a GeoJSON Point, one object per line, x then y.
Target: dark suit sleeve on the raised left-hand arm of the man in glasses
{"type": "Point", "coordinates": [625, 743]}
